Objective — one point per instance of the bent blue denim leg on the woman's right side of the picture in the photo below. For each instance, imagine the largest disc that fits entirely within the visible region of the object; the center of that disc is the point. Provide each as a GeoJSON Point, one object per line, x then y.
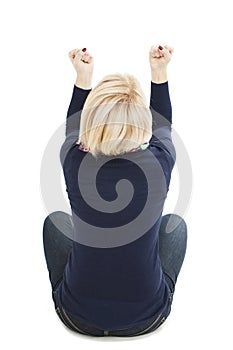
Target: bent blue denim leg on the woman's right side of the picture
{"type": "Point", "coordinates": [172, 246]}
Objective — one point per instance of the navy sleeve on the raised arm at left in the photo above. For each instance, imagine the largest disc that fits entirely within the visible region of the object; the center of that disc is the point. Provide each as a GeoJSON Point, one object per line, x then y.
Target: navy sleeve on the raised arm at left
{"type": "Point", "coordinates": [78, 99]}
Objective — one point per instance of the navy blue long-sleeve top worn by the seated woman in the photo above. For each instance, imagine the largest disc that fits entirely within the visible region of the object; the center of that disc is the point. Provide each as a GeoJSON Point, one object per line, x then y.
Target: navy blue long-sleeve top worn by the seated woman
{"type": "Point", "coordinates": [113, 278]}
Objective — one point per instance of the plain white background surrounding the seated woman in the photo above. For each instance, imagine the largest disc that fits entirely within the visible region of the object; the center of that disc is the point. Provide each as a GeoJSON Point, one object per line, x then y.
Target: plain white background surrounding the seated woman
{"type": "Point", "coordinates": [36, 84]}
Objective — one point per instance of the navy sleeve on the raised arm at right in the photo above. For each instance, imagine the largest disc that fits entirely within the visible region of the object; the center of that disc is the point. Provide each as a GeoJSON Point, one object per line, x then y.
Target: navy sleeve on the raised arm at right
{"type": "Point", "coordinates": [161, 110]}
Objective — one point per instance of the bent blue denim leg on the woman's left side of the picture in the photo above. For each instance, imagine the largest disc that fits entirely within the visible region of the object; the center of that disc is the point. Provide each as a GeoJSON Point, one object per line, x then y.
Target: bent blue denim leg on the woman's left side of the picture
{"type": "Point", "coordinates": [57, 240]}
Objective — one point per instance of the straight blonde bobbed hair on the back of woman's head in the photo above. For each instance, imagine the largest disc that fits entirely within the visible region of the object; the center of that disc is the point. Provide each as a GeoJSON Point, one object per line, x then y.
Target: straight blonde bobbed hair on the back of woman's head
{"type": "Point", "coordinates": [115, 117]}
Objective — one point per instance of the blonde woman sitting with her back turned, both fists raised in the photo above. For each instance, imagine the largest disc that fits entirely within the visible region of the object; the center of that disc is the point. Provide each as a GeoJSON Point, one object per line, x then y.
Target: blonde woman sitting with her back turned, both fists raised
{"type": "Point", "coordinates": [113, 264]}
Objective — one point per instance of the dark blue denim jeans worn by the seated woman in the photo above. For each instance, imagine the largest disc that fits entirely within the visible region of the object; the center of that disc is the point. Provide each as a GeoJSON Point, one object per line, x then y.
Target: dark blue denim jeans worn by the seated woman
{"type": "Point", "coordinates": [57, 247]}
